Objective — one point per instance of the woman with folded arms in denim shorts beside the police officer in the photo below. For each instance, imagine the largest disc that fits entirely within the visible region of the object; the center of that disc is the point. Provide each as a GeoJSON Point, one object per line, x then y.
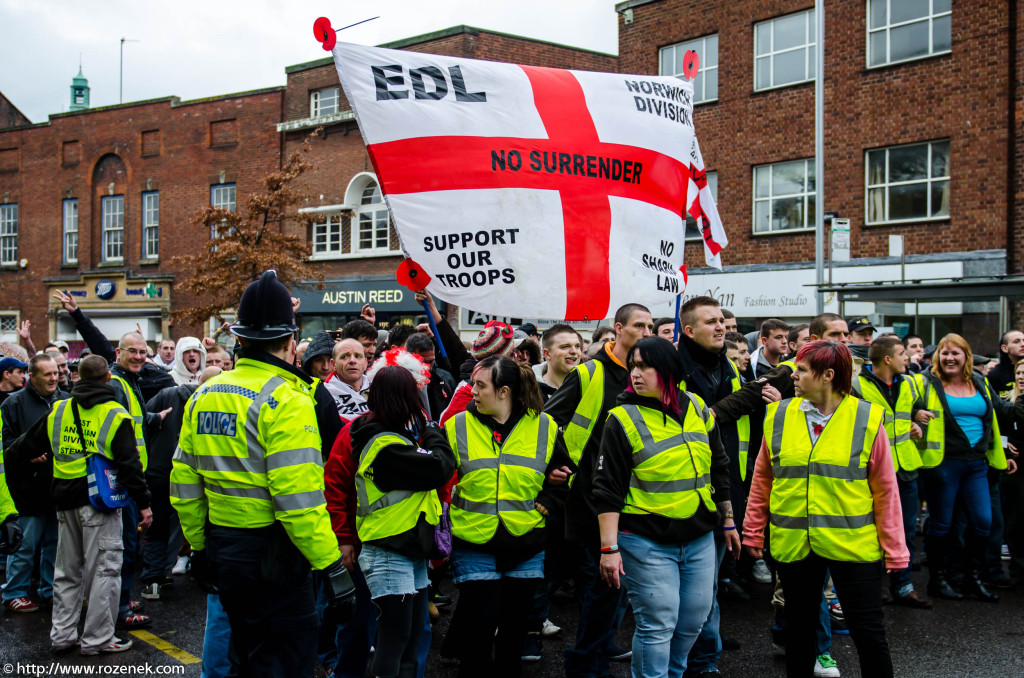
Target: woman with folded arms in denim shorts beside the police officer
{"type": "Point", "coordinates": [404, 458]}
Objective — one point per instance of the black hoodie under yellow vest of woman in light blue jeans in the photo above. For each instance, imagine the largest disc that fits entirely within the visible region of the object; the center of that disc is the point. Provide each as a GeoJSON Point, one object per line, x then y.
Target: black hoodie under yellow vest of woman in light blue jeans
{"type": "Point", "coordinates": [612, 480]}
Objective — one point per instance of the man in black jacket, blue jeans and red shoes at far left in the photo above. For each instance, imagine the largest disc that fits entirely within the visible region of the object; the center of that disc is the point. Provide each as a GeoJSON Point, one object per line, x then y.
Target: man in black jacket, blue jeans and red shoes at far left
{"type": "Point", "coordinates": [30, 487]}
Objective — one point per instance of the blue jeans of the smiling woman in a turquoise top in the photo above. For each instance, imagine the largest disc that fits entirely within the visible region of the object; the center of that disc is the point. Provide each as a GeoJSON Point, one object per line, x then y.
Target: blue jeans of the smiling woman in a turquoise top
{"type": "Point", "coordinates": [970, 481]}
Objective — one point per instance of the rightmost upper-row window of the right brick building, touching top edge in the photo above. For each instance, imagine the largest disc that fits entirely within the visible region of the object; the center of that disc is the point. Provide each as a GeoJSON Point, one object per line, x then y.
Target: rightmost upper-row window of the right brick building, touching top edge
{"type": "Point", "coordinates": [904, 30]}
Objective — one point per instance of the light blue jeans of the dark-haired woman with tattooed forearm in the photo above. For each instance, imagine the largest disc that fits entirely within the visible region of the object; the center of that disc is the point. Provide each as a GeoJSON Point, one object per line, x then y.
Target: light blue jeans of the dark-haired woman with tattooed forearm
{"type": "Point", "coordinates": [670, 587]}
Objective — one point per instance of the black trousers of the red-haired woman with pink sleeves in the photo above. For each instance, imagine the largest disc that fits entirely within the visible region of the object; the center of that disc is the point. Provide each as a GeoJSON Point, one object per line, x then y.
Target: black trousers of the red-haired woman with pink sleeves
{"type": "Point", "coordinates": [860, 588]}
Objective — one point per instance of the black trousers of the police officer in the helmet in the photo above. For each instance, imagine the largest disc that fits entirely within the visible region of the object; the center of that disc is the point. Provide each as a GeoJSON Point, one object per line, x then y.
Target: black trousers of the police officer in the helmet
{"type": "Point", "coordinates": [267, 588]}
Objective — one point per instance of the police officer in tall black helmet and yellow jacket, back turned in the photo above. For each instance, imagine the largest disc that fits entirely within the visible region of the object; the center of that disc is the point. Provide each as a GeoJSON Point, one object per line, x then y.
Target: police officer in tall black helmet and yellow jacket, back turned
{"type": "Point", "coordinates": [248, 485]}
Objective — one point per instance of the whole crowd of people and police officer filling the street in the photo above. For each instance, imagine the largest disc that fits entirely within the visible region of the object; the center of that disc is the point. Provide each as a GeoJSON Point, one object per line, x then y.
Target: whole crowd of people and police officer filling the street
{"type": "Point", "coordinates": [321, 491]}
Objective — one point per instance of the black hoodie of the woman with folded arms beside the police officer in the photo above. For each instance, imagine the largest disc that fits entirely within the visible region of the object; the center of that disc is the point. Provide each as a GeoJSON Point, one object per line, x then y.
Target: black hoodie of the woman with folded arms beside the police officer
{"type": "Point", "coordinates": [426, 465]}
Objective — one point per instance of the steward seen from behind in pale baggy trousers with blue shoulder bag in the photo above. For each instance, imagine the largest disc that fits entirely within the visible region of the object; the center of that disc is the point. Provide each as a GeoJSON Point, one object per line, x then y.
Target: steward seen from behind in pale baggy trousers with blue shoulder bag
{"type": "Point", "coordinates": [90, 541]}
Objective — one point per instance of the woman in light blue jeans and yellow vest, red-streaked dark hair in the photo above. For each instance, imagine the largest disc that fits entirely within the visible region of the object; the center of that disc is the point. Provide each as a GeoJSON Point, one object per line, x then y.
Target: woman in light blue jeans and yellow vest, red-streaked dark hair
{"type": "Point", "coordinates": [662, 461]}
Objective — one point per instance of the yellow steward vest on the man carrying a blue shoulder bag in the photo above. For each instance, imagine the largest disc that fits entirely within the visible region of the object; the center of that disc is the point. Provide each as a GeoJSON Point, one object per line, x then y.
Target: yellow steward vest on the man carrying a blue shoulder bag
{"type": "Point", "coordinates": [100, 425]}
